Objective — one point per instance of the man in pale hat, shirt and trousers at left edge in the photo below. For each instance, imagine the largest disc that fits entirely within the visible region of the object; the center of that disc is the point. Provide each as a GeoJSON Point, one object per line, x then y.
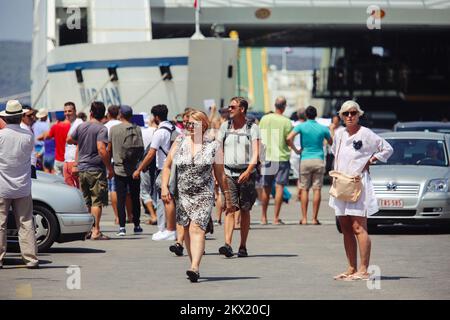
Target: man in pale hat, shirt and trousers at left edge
{"type": "Point", "coordinates": [16, 146]}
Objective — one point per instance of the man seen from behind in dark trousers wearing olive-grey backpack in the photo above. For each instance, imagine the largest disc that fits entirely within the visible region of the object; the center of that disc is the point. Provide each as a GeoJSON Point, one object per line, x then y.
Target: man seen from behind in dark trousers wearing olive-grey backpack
{"type": "Point", "coordinates": [127, 149]}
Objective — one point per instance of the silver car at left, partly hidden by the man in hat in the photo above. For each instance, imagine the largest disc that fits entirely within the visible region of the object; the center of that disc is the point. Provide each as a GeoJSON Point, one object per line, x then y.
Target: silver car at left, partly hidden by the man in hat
{"type": "Point", "coordinates": [60, 213]}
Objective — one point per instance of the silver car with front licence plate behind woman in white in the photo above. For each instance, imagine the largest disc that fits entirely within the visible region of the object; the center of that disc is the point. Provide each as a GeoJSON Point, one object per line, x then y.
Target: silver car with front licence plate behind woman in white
{"type": "Point", "coordinates": [413, 186]}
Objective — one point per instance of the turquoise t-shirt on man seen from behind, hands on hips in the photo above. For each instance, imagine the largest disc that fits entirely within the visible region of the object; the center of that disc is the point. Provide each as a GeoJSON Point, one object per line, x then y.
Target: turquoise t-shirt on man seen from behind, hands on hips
{"type": "Point", "coordinates": [312, 135]}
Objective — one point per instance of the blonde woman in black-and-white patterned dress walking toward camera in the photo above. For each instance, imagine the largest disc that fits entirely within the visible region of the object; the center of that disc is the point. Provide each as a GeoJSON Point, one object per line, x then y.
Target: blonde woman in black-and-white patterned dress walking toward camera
{"type": "Point", "coordinates": [196, 158]}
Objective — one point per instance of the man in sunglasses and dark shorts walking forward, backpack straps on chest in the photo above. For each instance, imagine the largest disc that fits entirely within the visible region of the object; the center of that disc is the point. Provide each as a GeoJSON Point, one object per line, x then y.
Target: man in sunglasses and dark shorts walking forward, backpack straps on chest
{"type": "Point", "coordinates": [240, 139]}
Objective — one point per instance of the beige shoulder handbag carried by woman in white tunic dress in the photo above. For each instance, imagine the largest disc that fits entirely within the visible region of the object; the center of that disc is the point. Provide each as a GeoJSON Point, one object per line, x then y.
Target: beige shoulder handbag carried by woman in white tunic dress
{"type": "Point", "coordinates": [345, 187]}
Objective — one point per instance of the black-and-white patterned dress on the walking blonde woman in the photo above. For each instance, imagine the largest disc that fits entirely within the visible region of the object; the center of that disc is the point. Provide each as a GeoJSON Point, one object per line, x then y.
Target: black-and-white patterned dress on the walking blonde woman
{"type": "Point", "coordinates": [194, 198]}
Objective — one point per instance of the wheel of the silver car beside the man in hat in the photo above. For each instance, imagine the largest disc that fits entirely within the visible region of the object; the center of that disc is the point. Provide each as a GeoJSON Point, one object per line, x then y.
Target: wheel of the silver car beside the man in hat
{"type": "Point", "coordinates": [47, 228]}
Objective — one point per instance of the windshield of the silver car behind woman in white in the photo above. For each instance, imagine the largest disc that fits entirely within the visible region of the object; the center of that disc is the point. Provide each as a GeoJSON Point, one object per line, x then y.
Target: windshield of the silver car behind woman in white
{"type": "Point", "coordinates": [420, 152]}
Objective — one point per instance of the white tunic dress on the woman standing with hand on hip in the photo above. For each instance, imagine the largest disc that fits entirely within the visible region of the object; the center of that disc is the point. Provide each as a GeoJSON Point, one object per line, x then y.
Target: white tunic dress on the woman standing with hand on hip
{"type": "Point", "coordinates": [350, 161]}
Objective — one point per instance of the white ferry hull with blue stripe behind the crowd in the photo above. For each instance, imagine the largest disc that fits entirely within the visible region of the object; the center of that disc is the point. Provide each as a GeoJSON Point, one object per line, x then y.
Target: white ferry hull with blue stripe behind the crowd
{"type": "Point", "coordinates": [103, 50]}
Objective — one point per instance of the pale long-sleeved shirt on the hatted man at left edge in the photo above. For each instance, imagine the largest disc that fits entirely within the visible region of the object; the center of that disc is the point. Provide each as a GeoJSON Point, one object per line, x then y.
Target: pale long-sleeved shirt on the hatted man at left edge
{"type": "Point", "coordinates": [16, 145]}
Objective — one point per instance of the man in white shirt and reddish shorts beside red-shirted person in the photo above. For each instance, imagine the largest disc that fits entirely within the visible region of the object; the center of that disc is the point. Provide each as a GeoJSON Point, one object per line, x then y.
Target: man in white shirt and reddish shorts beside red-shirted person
{"type": "Point", "coordinates": [71, 179]}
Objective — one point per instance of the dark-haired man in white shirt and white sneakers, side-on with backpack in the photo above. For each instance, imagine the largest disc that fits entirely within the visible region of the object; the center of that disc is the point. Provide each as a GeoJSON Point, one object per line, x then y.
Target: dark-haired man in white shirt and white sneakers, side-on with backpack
{"type": "Point", "coordinates": [159, 148]}
